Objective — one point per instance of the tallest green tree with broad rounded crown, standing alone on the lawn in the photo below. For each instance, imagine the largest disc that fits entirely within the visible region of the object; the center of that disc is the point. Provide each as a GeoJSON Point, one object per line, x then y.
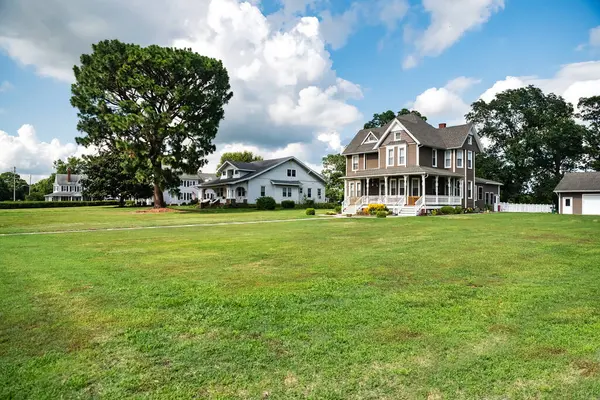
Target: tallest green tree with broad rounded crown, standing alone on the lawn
{"type": "Point", "coordinates": [160, 107]}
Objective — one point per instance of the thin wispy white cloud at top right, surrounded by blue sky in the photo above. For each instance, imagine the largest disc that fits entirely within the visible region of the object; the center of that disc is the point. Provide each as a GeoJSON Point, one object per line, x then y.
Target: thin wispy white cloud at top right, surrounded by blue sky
{"type": "Point", "coordinates": [450, 20]}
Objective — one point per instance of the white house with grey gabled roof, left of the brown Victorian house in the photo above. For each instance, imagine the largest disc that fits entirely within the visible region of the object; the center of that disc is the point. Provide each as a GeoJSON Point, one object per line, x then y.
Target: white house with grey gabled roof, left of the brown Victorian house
{"type": "Point", "coordinates": [282, 178]}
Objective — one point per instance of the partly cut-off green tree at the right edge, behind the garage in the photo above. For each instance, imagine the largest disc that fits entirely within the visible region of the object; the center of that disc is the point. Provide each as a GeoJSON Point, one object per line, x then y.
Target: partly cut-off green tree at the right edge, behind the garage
{"type": "Point", "coordinates": [589, 111]}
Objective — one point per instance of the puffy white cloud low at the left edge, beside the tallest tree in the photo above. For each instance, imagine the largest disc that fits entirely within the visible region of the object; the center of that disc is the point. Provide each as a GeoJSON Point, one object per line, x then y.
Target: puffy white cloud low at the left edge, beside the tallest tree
{"type": "Point", "coordinates": [32, 156]}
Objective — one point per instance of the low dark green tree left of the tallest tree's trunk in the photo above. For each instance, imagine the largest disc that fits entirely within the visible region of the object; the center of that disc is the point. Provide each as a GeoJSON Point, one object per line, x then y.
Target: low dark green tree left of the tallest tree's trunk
{"type": "Point", "coordinates": [107, 176]}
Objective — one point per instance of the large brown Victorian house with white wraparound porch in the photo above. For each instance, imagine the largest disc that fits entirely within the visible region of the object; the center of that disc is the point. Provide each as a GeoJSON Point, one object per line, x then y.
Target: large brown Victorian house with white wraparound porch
{"type": "Point", "coordinates": [411, 166]}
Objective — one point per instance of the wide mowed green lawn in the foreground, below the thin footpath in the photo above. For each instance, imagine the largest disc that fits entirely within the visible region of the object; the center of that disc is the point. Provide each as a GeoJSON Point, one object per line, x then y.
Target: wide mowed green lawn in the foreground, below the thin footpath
{"type": "Point", "coordinates": [475, 306]}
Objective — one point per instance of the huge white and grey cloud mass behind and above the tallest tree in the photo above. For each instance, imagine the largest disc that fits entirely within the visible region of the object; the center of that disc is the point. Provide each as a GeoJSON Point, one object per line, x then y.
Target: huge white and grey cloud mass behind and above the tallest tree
{"type": "Point", "coordinates": [285, 90]}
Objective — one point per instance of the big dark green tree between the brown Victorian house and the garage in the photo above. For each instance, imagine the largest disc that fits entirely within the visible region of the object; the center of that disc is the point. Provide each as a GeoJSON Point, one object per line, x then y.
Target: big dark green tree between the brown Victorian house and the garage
{"type": "Point", "coordinates": [534, 137]}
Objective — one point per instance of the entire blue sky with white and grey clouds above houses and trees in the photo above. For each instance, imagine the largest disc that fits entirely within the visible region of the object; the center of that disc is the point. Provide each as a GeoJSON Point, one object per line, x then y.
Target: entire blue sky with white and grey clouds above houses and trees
{"type": "Point", "coordinates": [306, 74]}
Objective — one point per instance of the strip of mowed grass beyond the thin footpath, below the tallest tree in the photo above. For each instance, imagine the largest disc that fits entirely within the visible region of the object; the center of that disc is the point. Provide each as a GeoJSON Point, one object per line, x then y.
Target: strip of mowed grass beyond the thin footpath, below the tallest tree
{"type": "Point", "coordinates": [81, 218]}
